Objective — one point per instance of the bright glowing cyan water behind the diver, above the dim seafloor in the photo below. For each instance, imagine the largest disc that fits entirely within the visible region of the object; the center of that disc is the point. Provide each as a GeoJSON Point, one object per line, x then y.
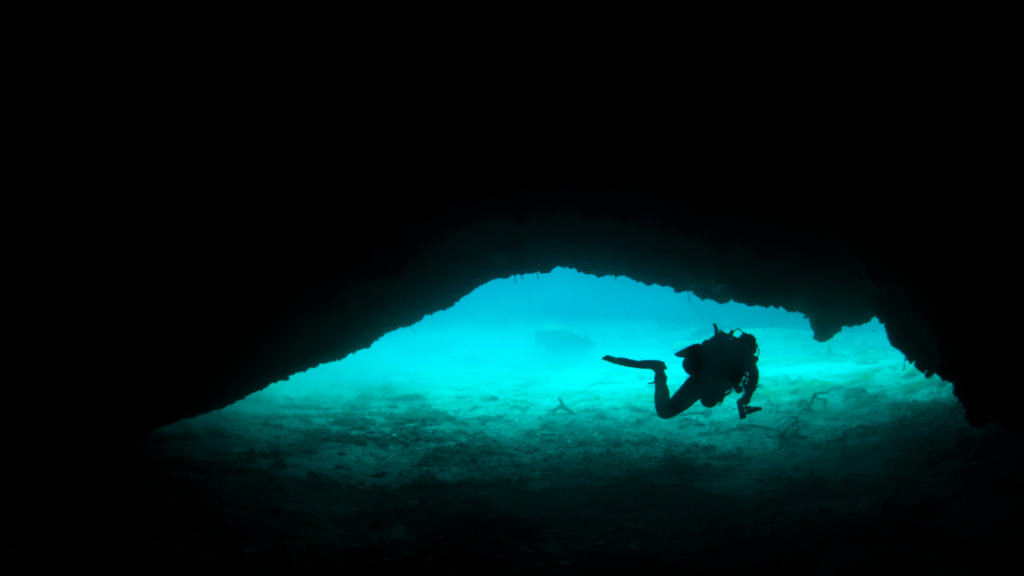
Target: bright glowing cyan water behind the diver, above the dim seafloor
{"type": "Point", "coordinates": [488, 345]}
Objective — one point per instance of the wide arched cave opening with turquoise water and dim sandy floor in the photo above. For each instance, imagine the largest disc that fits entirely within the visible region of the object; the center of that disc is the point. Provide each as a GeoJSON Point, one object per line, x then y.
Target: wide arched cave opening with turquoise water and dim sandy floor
{"type": "Point", "coordinates": [495, 428]}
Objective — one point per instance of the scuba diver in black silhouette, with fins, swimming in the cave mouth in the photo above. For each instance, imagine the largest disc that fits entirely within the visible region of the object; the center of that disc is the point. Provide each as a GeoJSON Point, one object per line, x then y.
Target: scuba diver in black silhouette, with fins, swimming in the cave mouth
{"type": "Point", "coordinates": [717, 366]}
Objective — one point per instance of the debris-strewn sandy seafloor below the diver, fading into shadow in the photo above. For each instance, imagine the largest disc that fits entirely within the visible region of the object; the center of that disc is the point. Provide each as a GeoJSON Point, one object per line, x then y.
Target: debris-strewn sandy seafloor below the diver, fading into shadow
{"type": "Point", "coordinates": [484, 477]}
